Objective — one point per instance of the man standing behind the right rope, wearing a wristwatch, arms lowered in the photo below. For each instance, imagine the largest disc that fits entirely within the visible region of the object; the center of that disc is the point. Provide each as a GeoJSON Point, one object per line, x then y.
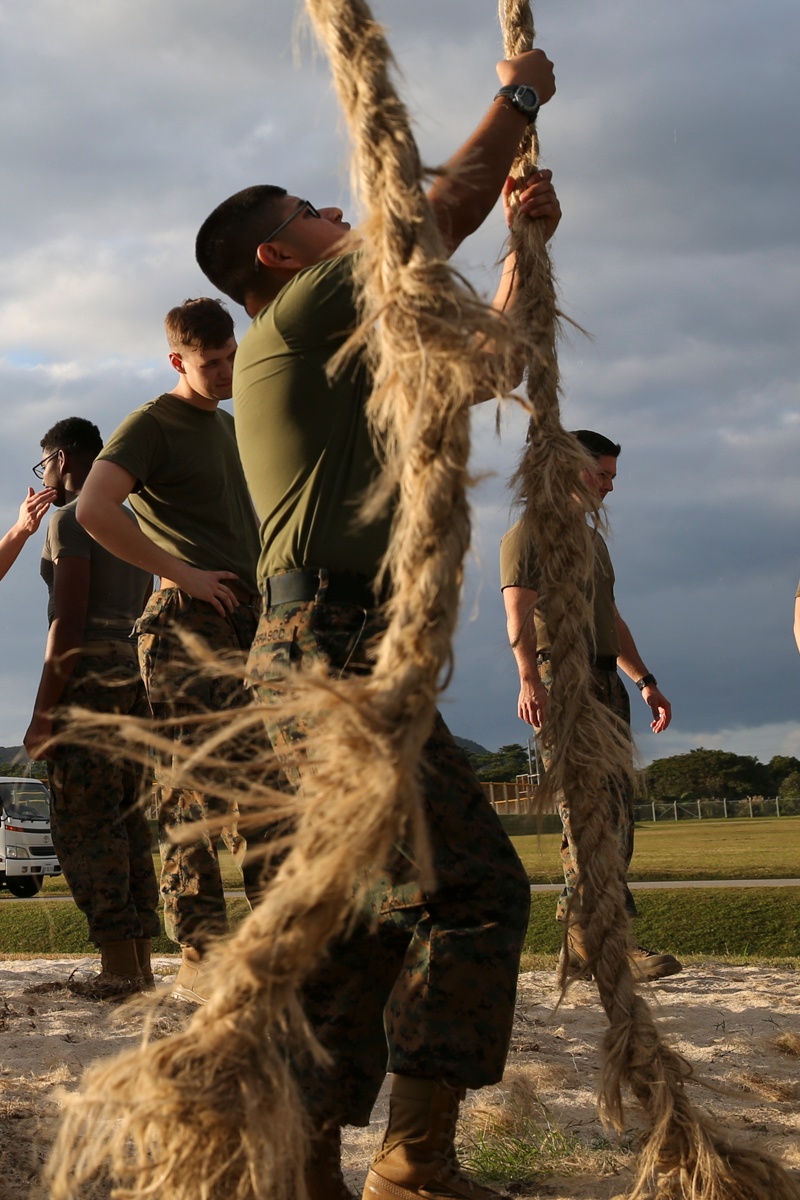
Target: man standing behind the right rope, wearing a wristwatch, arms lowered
{"type": "Point", "coordinates": [613, 647]}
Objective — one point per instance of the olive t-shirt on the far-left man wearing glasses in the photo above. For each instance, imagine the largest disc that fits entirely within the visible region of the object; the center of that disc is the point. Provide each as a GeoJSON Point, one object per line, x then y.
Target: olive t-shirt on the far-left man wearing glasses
{"type": "Point", "coordinates": [117, 590]}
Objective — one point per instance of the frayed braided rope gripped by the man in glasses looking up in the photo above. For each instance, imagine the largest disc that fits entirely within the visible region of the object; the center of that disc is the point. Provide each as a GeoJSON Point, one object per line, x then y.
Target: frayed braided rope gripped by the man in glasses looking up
{"type": "Point", "coordinates": [684, 1155]}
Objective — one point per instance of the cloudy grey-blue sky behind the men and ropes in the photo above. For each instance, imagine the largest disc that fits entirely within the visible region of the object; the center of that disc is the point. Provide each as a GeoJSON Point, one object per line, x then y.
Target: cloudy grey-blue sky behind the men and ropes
{"type": "Point", "coordinates": [675, 143]}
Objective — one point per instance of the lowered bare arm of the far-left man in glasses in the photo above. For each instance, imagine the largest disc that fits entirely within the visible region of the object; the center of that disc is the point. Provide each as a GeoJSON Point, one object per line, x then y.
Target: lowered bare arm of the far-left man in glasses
{"type": "Point", "coordinates": [71, 580]}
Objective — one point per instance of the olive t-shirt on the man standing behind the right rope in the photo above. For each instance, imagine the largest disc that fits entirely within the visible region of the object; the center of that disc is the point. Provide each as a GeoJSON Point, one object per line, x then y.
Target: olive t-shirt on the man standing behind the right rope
{"type": "Point", "coordinates": [521, 571]}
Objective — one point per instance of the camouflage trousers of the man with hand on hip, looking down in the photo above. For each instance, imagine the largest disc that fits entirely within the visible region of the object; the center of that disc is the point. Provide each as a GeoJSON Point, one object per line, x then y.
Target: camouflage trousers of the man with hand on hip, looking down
{"type": "Point", "coordinates": [179, 688]}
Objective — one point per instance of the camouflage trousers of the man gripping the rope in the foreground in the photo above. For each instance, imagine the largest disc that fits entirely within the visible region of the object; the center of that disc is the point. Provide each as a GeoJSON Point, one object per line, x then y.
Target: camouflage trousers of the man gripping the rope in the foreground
{"type": "Point", "coordinates": [426, 985]}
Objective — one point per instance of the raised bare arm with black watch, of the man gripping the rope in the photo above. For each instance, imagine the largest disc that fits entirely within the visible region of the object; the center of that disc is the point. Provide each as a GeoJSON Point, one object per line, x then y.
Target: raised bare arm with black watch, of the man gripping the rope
{"type": "Point", "coordinates": [465, 196]}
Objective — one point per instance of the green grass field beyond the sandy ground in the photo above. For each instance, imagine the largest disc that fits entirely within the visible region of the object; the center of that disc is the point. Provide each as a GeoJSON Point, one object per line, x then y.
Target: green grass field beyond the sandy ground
{"type": "Point", "coordinates": [745, 923]}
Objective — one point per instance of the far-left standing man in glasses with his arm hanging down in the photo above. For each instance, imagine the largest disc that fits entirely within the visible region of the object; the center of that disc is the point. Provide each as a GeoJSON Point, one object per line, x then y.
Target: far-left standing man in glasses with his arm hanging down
{"type": "Point", "coordinates": [100, 831]}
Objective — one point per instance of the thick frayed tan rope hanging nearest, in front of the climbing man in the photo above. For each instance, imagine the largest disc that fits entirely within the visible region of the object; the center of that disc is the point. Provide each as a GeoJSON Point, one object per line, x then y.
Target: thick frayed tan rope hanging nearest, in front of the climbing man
{"type": "Point", "coordinates": [214, 1113]}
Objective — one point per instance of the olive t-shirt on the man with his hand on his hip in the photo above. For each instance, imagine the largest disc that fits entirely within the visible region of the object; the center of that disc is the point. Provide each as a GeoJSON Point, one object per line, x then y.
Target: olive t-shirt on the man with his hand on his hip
{"type": "Point", "coordinates": [191, 497]}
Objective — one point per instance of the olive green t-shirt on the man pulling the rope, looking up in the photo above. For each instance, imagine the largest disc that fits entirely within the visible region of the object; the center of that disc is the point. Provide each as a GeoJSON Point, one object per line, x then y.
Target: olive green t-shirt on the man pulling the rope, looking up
{"type": "Point", "coordinates": [303, 437]}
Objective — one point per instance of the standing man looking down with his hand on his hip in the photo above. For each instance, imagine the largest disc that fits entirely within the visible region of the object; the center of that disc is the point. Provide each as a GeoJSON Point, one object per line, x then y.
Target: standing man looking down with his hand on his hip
{"type": "Point", "coordinates": [178, 463]}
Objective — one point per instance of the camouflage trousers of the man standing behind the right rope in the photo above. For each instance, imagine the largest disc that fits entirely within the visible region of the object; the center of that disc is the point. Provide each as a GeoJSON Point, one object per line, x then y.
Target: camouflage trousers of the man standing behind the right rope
{"type": "Point", "coordinates": [611, 691]}
